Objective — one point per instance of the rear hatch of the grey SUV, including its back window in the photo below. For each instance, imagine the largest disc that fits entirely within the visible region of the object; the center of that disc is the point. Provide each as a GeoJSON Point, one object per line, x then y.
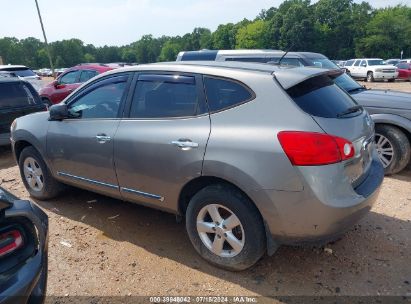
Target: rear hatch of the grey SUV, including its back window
{"type": "Point", "coordinates": [337, 113]}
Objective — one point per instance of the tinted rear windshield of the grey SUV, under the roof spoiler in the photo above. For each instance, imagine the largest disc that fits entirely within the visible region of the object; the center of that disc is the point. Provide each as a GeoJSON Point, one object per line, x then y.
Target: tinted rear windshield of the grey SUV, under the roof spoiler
{"type": "Point", "coordinates": [320, 96]}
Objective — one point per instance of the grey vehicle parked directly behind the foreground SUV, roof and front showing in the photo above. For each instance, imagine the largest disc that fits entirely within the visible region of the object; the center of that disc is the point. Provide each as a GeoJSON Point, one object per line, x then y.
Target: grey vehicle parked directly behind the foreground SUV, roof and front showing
{"type": "Point", "coordinates": [390, 110]}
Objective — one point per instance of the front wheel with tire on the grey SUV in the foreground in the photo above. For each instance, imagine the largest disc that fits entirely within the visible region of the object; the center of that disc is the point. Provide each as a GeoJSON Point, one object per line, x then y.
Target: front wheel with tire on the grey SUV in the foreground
{"type": "Point", "coordinates": [31, 158]}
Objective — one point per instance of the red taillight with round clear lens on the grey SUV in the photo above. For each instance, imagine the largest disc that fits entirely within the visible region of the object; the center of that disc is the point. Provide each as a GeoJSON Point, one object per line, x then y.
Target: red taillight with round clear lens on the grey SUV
{"type": "Point", "coordinates": [314, 149]}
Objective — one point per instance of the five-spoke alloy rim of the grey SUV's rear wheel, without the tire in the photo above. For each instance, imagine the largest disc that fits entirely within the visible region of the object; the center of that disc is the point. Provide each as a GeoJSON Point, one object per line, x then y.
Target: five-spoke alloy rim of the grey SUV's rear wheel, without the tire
{"type": "Point", "coordinates": [220, 230]}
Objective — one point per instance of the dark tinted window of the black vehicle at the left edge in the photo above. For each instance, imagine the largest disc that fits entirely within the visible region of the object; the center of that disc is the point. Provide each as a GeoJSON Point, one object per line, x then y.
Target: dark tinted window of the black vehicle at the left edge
{"type": "Point", "coordinates": [17, 94]}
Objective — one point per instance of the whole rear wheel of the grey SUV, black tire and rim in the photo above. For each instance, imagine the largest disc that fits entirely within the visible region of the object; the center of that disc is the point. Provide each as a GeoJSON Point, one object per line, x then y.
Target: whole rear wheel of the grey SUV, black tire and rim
{"type": "Point", "coordinates": [250, 231]}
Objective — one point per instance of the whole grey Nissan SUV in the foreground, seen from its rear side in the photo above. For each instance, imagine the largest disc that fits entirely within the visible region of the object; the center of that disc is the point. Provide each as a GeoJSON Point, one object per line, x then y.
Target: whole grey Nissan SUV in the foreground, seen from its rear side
{"type": "Point", "coordinates": [253, 155]}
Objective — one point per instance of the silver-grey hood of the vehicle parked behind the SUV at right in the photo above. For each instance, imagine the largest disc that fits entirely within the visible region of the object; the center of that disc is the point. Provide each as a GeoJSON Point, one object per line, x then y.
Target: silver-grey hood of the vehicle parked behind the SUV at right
{"type": "Point", "coordinates": [383, 99]}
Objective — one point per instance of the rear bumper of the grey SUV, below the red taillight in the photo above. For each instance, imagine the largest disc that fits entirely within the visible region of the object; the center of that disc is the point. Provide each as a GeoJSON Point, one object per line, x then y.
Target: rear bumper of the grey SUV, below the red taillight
{"type": "Point", "coordinates": [319, 214]}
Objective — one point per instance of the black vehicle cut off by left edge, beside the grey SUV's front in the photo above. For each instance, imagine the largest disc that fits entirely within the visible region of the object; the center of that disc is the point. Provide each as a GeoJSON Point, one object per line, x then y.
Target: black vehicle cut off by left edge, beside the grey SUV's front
{"type": "Point", "coordinates": [17, 98]}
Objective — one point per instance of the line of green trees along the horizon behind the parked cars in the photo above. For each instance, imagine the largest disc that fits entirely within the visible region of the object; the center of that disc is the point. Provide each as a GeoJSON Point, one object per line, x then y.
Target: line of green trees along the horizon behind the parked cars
{"type": "Point", "coordinates": [340, 29]}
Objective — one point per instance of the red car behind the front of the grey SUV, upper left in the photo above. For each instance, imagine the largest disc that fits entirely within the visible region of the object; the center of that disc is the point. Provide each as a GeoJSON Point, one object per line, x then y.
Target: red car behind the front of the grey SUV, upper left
{"type": "Point", "coordinates": [70, 80]}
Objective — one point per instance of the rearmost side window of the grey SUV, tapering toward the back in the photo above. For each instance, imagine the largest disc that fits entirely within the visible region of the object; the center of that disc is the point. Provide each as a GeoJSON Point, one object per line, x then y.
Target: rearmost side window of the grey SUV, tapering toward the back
{"type": "Point", "coordinates": [223, 93]}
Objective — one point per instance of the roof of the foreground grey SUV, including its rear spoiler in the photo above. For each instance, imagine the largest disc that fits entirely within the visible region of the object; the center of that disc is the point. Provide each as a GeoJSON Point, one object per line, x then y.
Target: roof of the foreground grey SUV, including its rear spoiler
{"type": "Point", "coordinates": [287, 76]}
